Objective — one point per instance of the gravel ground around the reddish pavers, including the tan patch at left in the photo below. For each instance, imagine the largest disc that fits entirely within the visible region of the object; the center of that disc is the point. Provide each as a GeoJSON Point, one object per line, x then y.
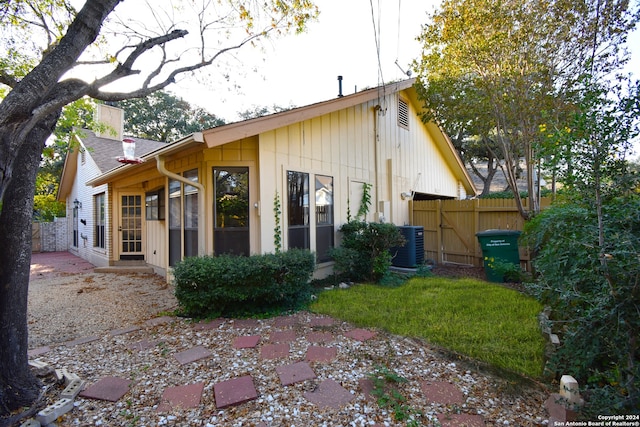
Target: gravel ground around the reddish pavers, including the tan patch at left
{"type": "Point", "coordinates": [64, 307]}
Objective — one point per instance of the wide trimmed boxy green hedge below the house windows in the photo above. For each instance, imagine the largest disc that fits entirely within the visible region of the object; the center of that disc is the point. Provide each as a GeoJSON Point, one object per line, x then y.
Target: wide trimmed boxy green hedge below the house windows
{"type": "Point", "coordinates": [226, 285]}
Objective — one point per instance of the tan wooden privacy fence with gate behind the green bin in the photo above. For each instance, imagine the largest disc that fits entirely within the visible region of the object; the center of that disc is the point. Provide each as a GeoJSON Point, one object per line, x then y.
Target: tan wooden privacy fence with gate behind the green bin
{"type": "Point", "coordinates": [450, 227]}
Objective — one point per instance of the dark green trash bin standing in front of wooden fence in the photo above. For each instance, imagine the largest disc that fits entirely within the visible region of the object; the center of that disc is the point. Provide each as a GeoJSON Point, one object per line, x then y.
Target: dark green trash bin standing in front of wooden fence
{"type": "Point", "coordinates": [498, 247]}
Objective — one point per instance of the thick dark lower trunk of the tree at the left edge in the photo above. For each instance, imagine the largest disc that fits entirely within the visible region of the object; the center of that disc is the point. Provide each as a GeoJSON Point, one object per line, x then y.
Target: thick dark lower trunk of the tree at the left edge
{"type": "Point", "coordinates": [18, 386]}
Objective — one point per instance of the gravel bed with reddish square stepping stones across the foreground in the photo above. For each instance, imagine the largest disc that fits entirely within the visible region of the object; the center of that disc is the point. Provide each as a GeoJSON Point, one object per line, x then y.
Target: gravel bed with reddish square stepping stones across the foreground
{"type": "Point", "coordinates": [296, 370]}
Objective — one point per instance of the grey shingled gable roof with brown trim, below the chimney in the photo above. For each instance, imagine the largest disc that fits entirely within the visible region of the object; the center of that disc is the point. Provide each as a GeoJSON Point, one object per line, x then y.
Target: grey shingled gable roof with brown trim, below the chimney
{"type": "Point", "coordinates": [103, 151]}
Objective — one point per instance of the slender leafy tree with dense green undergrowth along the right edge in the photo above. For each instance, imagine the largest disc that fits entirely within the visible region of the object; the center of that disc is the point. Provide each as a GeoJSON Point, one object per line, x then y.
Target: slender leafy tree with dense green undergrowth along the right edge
{"type": "Point", "coordinates": [587, 247]}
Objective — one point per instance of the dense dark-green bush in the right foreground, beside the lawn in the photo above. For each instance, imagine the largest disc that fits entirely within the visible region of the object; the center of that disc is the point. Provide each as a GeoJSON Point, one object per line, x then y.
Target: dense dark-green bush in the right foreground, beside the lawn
{"type": "Point", "coordinates": [594, 295]}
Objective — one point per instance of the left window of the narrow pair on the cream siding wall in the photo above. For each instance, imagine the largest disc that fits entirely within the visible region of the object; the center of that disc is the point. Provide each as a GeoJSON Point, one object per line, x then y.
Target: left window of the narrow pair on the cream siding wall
{"type": "Point", "coordinates": [298, 209]}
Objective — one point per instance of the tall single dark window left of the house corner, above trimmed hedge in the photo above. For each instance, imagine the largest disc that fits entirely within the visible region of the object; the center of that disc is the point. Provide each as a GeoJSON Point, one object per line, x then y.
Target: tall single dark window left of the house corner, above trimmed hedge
{"type": "Point", "coordinates": [231, 226]}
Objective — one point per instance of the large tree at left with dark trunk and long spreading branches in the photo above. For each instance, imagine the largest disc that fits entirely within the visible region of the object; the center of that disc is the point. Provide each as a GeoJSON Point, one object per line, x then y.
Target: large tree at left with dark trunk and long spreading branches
{"type": "Point", "coordinates": [47, 46]}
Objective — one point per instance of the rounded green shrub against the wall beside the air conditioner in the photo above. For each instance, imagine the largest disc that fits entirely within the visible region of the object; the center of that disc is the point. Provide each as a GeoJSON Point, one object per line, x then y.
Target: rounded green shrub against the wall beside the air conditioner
{"type": "Point", "coordinates": [364, 252]}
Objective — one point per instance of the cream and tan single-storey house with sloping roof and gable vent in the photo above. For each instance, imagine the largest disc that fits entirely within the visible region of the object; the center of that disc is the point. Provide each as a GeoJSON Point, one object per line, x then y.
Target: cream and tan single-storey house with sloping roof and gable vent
{"type": "Point", "coordinates": [288, 179]}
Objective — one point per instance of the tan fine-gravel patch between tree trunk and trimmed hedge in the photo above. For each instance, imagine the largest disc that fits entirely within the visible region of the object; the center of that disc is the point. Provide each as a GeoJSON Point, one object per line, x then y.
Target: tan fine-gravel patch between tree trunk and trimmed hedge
{"type": "Point", "coordinates": [65, 306]}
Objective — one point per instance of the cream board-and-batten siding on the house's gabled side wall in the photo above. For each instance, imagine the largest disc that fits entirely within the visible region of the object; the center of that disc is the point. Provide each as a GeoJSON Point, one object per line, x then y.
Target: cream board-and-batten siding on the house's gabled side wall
{"type": "Point", "coordinates": [355, 145]}
